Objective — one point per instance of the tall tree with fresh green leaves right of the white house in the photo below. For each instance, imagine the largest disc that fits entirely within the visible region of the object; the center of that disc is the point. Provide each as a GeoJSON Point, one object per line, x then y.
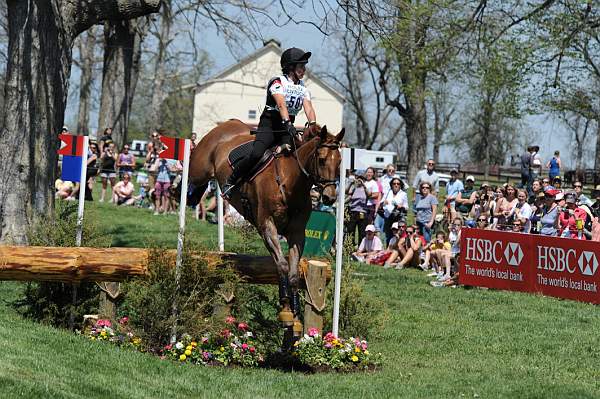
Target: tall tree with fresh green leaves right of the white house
{"type": "Point", "coordinates": [420, 40]}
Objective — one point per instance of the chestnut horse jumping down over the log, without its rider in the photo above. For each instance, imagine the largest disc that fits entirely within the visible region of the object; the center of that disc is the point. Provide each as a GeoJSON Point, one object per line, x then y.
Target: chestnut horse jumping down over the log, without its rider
{"type": "Point", "coordinates": [277, 201]}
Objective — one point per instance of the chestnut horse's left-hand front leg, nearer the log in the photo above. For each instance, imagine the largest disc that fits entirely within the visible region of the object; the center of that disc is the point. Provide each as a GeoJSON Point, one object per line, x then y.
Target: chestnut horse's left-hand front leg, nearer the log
{"type": "Point", "coordinates": [271, 238]}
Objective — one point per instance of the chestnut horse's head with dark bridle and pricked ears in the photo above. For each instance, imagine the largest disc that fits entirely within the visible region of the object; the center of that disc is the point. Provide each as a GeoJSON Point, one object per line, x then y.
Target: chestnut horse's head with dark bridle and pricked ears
{"type": "Point", "coordinates": [325, 170]}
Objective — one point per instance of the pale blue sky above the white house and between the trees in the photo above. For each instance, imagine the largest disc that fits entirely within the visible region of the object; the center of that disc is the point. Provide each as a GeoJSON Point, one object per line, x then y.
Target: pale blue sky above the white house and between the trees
{"type": "Point", "coordinates": [542, 130]}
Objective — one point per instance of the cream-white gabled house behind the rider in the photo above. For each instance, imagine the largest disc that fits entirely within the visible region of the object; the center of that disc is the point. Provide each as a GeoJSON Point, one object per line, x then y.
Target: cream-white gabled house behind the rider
{"type": "Point", "coordinates": [239, 92]}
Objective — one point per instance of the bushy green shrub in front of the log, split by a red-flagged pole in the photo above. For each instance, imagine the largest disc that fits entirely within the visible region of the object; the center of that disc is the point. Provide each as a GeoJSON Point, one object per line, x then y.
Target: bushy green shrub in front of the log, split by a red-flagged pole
{"type": "Point", "coordinates": [148, 302]}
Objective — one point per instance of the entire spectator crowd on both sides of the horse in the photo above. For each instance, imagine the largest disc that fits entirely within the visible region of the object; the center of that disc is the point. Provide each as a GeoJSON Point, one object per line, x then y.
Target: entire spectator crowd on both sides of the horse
{"type": "Point", "coordinates": [378, 207]}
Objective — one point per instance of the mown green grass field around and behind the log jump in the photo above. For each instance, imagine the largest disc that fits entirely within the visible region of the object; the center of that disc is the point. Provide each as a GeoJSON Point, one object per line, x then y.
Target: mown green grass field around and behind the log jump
{"type": "Point", "coordinates": [438, 343]}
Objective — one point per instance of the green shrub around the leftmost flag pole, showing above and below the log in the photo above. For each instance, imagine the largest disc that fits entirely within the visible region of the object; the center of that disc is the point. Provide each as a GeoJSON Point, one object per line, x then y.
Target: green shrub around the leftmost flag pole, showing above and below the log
{"type": "Point", "coordinates": [51, 302]}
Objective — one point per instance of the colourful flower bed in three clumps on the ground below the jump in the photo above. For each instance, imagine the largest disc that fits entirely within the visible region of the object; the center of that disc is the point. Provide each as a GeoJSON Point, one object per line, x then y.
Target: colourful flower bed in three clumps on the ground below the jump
{"type": "Point", "coordinates": [236, 346]}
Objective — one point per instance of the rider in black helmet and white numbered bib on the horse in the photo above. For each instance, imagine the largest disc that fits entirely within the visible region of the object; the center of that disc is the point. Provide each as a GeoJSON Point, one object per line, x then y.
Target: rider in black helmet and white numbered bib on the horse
{"type": "Point", "coordinates": [286, 95]}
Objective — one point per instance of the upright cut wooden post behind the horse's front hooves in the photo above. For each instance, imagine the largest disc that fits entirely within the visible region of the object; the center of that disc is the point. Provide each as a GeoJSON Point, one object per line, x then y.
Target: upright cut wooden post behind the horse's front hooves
{"type": "Point", "coordinates": [316, 289]}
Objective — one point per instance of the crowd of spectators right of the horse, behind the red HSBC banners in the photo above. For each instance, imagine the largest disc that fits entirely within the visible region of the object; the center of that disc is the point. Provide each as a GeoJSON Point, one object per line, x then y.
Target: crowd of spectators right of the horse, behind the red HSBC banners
{"type": "Point", "coordinates": [378, 211]}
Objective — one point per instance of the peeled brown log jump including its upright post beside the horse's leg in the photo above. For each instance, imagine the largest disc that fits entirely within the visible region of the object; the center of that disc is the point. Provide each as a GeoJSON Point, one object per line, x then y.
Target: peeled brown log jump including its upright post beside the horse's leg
{"type": "Point", "coordinates": [78, 264]}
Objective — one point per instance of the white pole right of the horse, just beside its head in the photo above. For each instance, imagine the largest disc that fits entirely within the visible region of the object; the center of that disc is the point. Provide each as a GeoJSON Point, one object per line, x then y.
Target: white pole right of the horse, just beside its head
{"type": "Point", "coordinates": [339, 238]}
